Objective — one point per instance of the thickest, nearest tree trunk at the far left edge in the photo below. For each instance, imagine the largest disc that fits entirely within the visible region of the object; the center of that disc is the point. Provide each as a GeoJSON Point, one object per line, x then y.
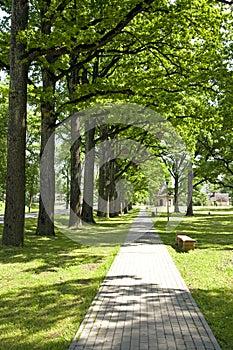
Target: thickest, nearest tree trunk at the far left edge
{"type": "Point", "coordinates": [13, 233]}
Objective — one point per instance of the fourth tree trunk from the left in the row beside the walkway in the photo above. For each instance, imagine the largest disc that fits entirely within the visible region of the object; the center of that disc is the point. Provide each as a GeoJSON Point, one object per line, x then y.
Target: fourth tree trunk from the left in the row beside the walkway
{"type": "Point", "coordinates": [88, 191]}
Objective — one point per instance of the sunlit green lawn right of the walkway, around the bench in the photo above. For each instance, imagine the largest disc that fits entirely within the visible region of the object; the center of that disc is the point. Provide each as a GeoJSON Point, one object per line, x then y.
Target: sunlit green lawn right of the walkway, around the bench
{"type": "Point", "coordinates": [208, 270]}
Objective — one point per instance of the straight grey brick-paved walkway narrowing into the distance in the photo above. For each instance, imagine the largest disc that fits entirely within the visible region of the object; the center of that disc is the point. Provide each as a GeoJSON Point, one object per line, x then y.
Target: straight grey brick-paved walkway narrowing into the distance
{"type": "Point", "coordinates": [143, 302]}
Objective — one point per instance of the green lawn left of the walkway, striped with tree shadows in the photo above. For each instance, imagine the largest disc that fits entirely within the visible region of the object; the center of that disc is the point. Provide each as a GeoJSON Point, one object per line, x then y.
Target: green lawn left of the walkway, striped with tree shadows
{"type": "Point", "coordinates": [47, 286]}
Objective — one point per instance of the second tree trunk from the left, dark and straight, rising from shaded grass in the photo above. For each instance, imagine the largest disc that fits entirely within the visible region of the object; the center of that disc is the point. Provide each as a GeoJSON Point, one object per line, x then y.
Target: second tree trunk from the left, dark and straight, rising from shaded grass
{"type": "Point", "coordinates": [45, 225]}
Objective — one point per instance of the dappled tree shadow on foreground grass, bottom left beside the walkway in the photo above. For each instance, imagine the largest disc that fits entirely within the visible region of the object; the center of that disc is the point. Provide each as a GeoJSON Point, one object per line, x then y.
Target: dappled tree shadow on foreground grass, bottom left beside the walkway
{"type": "Point", "coordinates": [35, 310]}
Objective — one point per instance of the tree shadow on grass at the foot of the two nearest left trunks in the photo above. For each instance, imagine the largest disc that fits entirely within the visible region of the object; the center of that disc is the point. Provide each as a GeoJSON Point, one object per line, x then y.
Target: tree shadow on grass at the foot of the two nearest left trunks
{"type": "Point", "coordinates": [54, 252]}
